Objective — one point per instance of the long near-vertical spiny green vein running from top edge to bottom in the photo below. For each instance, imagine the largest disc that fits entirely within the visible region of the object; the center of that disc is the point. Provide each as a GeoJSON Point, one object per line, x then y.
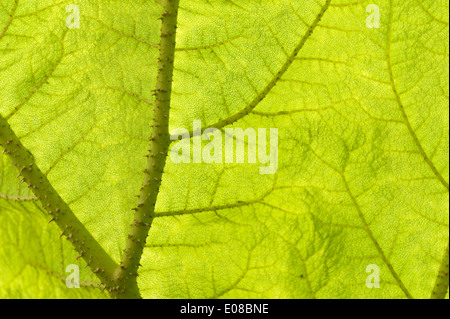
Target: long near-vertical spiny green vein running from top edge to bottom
{"type": "Point", "coordinates": [159, 145]}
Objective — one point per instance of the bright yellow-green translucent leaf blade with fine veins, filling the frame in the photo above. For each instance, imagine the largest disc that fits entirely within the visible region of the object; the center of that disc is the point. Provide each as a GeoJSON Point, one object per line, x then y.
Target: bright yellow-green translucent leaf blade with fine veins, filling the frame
{"type": "Point", "coordinates": [362, 118]}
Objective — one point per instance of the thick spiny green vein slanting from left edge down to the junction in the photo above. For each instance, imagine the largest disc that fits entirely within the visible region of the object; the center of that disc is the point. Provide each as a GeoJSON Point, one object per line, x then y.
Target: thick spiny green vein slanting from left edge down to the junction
{"type": "Point", "coordinates": [59, 212]}
